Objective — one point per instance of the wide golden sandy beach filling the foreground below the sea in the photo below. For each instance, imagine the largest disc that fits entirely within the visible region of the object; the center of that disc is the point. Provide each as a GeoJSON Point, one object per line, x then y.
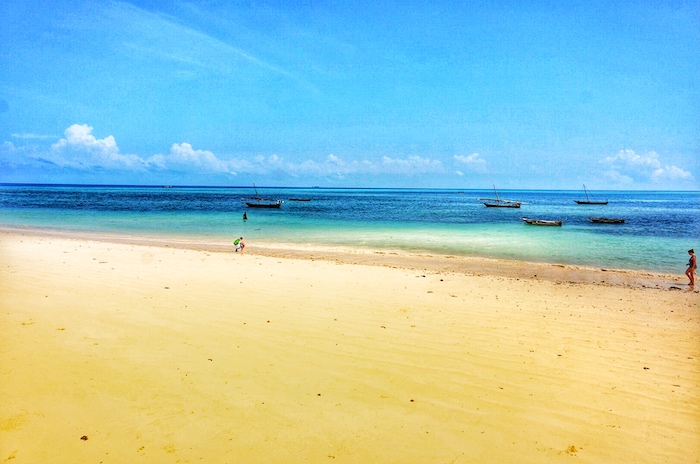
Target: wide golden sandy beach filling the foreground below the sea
{"type": "Point", "coordinates": [123, 349]}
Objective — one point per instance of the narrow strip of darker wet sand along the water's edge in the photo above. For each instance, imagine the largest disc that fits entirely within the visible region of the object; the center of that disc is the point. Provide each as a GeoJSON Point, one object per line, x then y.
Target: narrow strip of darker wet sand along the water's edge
{"type": "Point", "coordinates": [429, 262]}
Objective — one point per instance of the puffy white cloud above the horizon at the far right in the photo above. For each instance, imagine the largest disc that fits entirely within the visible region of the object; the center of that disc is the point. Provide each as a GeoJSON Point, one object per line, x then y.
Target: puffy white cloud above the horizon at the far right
{"type": "Point", "coordinates": [627, 166]}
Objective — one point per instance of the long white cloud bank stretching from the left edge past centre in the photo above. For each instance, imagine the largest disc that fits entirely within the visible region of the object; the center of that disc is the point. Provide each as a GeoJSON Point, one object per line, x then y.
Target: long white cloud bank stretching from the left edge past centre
{"type": "Point", "coordinates": [80, 149]}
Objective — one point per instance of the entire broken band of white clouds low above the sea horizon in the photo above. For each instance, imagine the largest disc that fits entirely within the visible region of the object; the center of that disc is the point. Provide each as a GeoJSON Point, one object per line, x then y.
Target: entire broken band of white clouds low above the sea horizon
{"type": "Point", "coordinates": [80, 150]}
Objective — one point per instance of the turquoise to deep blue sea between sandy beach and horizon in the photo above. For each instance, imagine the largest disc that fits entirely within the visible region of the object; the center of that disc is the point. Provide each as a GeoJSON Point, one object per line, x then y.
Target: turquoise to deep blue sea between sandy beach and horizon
{"type": "Point", "coordinates": [659, 226]}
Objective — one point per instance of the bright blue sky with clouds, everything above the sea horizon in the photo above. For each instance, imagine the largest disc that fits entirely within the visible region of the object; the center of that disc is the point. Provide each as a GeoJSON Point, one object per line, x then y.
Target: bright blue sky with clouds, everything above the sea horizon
{"type": "Point", "coordinates": [443, 94]}
